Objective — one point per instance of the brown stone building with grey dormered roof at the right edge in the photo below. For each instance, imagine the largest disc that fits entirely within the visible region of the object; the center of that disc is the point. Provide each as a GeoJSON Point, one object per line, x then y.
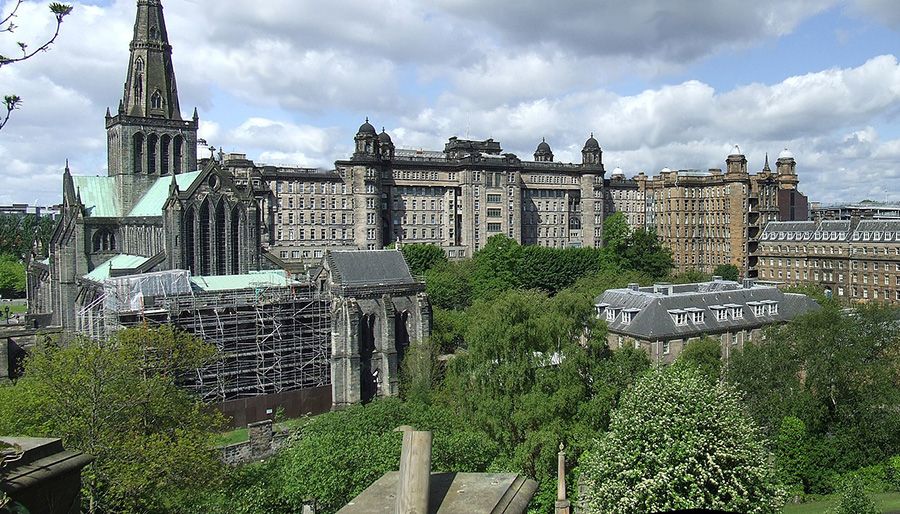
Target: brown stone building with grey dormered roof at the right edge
{"type": "Point", "coordinates": [854, 260]}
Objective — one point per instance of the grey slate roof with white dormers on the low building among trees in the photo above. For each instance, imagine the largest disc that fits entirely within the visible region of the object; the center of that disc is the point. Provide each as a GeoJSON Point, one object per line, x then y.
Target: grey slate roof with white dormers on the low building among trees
{"type": "Point", "coordinates": [652, 317]}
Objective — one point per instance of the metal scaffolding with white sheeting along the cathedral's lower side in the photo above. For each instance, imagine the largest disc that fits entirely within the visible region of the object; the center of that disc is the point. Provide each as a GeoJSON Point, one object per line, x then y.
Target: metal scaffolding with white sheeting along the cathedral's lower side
{"type": "Point", "coordinates": [271, 338]}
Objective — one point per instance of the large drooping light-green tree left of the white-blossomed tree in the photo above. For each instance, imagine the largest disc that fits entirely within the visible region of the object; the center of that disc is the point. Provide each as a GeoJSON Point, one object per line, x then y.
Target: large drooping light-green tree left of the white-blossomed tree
{"type": "Point", "coordinates": [537, 372]}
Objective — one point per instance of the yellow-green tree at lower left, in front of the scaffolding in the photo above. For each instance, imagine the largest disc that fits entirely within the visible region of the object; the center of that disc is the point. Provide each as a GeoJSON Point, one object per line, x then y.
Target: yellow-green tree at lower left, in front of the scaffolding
{"type": "Point", "coordinates": [118, 401]}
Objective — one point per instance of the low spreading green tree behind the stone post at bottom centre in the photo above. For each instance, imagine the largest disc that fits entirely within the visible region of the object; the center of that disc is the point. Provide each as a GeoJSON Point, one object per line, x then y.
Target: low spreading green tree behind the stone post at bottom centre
{"type": "Point", "coordinates": [335, 456]}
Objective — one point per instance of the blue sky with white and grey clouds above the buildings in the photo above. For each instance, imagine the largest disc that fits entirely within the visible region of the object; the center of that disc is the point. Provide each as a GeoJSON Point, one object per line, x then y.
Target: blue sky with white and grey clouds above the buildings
{"type": "Point", "coordinates": [659, 83]}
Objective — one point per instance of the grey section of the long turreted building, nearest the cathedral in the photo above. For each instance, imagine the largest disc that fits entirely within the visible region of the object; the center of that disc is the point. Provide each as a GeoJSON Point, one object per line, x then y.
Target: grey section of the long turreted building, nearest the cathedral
{"type": "Point", "coordinates": [455, 199]}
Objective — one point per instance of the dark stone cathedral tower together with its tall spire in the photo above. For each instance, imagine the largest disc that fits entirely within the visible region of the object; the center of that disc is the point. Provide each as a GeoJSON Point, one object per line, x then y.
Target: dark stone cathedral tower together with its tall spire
{"type": "Point", "coordinates": [147, 137]}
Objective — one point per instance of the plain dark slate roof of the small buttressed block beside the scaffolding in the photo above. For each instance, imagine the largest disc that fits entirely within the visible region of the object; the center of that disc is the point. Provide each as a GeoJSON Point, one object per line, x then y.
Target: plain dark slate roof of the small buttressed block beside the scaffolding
{"type": "Point", "coordinates": [368, 267]}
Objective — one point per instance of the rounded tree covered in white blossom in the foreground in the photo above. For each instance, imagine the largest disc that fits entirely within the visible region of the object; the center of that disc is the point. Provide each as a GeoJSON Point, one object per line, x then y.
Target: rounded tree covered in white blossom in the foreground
{"type": "Point", "coordinates": [675, 442]}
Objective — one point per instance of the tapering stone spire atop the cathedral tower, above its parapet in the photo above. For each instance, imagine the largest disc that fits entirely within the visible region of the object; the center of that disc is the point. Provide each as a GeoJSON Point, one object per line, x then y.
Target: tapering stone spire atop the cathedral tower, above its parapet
{"type": "Point", "coordinates": [150, 90]}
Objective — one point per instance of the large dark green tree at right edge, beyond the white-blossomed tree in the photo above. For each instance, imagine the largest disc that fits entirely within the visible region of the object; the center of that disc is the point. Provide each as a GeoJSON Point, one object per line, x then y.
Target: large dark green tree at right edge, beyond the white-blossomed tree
{"type": "Point", "coordinates": [836, 372]}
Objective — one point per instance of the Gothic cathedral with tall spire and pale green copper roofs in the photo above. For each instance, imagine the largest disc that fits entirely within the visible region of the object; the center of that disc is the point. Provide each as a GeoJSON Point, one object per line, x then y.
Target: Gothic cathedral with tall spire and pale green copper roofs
{"type": "Point", "coordinates": [158, 208]}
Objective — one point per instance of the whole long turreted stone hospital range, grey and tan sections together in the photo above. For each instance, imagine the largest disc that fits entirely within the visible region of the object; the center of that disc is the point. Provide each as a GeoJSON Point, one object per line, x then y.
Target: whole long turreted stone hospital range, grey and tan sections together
{"type": "Point", "coordinates": [459, 197]}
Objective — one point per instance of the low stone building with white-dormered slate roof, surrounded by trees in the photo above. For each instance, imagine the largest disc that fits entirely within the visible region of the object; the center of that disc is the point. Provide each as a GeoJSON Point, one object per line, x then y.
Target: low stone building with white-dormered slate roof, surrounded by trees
{"type": "Point", "coordinates": [662, 319]}
